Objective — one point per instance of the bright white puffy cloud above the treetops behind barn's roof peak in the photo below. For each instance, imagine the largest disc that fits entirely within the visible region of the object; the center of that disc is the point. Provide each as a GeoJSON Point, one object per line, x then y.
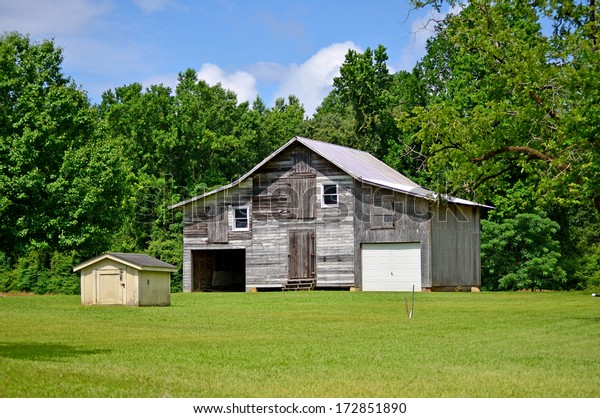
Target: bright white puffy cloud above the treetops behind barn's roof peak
{"type": "Point", "coordinates": [312, 80]}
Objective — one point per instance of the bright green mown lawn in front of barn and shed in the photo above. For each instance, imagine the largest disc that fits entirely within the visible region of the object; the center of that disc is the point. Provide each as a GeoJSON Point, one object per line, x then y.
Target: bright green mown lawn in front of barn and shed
{"type": "Point", "coordinates": [305, 344]}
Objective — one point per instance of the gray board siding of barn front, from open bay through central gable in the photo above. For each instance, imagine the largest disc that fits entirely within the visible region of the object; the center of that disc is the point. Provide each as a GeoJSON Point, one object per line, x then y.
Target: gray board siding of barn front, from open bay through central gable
{"type": "Point", "coordinates": [284, 195]}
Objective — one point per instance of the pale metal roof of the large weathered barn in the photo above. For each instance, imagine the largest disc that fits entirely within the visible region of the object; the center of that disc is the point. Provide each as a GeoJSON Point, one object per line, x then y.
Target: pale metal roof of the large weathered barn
{"type": "Point", "coordinates": [359, 164]}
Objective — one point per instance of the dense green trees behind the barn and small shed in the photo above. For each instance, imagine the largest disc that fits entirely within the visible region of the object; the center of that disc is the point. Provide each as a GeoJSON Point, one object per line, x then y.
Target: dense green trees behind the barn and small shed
{"type": "Point", "coordinates": [503, 109]}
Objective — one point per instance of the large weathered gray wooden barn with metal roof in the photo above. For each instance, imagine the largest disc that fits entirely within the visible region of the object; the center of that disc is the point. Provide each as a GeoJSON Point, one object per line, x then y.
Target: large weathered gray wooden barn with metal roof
{"type": "Point", "coordinates": [319, 215]}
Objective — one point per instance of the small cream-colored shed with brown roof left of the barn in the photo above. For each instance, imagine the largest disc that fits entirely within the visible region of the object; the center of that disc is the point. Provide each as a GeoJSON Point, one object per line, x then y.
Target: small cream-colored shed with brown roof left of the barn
{"type": "Point", "coordinates": [125, 279]}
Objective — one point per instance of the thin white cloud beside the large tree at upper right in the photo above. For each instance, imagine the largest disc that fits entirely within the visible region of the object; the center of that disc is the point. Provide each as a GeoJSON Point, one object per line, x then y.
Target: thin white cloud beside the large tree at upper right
{"type": "Point", "coordinates": [422, 28]}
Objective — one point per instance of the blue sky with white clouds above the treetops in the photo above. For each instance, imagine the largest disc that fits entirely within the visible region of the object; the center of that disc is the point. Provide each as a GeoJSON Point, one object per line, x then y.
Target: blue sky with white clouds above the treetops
{"type": "Point", "coordinates": [265, 47]}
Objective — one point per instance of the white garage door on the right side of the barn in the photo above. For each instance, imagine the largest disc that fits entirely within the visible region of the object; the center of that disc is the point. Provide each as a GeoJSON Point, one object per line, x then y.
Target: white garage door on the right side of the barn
{"type": "Point", "coordinates": [395, 267]}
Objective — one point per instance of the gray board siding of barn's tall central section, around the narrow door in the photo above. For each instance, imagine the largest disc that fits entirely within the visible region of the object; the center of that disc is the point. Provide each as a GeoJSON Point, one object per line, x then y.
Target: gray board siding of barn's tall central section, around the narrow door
{"type": "Point", "coordinates": [287, 196]}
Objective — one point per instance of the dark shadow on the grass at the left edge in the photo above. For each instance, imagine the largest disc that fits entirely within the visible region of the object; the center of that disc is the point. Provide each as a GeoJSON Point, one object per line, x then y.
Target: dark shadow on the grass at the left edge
{"type": "Point", "coordinates": [44, 352]}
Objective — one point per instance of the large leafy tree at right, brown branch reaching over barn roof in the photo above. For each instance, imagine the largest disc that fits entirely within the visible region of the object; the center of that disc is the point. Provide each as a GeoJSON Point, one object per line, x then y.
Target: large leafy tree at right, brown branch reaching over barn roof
{"type": "Point", "coordinates": [510, 102]}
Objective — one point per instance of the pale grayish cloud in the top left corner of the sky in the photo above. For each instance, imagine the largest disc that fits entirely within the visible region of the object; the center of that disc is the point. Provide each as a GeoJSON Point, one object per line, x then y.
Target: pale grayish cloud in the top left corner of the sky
{"type": "Point", "coordinates": [57, 17]}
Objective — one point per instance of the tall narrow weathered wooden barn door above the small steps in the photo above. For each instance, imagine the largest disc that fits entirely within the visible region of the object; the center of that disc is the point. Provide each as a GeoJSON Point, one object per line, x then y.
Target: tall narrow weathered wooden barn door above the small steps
{"type": "Point", "coordinates": [301, 254]}
